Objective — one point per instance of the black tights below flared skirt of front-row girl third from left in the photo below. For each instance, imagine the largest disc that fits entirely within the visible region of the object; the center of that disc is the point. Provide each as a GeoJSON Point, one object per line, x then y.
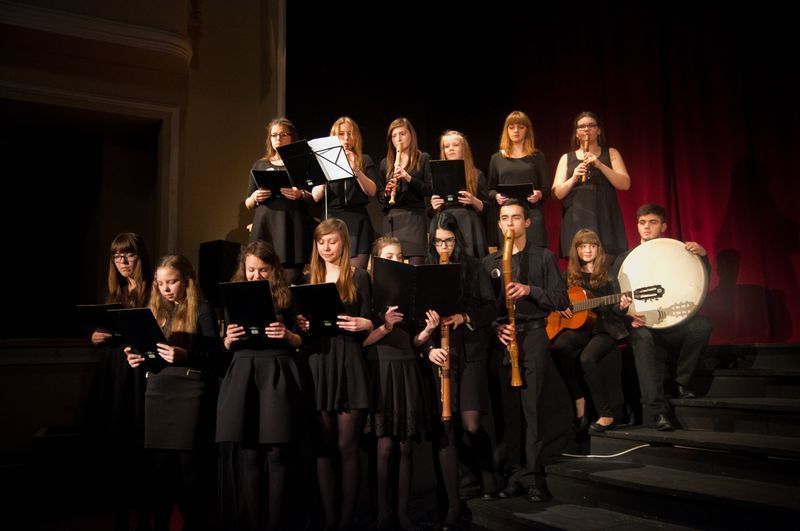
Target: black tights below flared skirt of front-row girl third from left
{"type": "Point", "coordinates": [253, 460]}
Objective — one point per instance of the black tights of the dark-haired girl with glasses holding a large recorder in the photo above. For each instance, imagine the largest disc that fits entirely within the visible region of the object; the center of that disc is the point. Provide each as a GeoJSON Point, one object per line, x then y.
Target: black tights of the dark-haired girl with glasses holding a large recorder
{"type": "Point", "coordinates": [448, 459]}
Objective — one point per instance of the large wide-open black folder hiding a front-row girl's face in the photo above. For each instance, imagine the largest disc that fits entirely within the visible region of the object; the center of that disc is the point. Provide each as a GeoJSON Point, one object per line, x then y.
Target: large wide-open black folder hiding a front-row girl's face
{"type": "Point", "coordinates": [417, 289]}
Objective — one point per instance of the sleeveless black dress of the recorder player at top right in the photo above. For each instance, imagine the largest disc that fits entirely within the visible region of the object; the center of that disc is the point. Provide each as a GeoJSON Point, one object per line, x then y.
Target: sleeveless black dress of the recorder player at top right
{"type": "Point", "coordinates": [593, 205]}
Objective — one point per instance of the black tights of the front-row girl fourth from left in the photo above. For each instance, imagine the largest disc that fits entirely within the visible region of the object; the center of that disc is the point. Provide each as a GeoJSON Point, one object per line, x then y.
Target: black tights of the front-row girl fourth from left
{"type": "Point", "coordinates": [338, 431]}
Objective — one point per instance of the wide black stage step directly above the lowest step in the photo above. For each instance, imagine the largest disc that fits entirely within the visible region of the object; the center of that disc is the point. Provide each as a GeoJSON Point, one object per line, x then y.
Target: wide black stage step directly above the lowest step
{"type": "Point", "coordinates": [684, 497]}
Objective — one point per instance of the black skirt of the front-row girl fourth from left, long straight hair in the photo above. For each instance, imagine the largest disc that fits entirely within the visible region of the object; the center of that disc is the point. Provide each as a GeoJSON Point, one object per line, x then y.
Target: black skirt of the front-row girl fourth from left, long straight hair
{"type": "Point", "coordinates": [339, 374]}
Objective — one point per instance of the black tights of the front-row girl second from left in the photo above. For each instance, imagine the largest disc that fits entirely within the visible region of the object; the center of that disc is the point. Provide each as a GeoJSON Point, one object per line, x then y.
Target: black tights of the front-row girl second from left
{"type": "Point", "coordinates": [191, 503]}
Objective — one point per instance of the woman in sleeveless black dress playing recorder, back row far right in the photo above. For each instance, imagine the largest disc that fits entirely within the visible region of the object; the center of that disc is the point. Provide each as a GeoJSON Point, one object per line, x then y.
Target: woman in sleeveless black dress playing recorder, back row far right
{"type": "Point", "coordinates": [587, 183]}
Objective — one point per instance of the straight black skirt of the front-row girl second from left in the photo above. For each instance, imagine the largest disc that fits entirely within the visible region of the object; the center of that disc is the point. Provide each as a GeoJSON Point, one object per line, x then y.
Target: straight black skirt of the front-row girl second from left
{"type": "Point", "coordinates": [179, 409]}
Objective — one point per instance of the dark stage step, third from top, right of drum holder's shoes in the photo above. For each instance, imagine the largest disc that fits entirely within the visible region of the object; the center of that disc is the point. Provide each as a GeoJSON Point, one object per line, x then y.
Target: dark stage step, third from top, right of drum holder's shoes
{"type": "Point", "coordinates": [764, 415]}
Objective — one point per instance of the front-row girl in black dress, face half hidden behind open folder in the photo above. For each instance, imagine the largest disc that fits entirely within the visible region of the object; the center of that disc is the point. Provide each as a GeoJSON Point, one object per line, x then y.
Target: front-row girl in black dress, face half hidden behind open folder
{"type": "Point", "coordinates": [399, 413]}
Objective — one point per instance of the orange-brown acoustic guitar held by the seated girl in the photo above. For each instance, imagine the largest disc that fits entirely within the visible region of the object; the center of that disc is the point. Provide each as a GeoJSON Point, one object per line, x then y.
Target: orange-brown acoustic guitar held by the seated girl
{"type": "Point", "coordinates": [582, 301]}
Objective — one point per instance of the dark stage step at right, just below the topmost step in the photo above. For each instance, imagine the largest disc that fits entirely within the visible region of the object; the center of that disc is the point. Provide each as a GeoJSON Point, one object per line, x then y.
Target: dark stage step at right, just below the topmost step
{"type": "Point", "coordinates": [748, 382]}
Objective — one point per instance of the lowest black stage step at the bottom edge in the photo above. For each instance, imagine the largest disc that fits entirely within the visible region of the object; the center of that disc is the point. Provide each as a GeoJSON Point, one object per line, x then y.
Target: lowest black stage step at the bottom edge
{"type": "Point", "coordinates": [518, 514]}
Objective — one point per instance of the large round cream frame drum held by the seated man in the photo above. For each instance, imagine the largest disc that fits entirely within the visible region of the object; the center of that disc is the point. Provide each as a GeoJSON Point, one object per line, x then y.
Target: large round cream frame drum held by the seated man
{"type": "Point", "coordinates": [666, 262]}
